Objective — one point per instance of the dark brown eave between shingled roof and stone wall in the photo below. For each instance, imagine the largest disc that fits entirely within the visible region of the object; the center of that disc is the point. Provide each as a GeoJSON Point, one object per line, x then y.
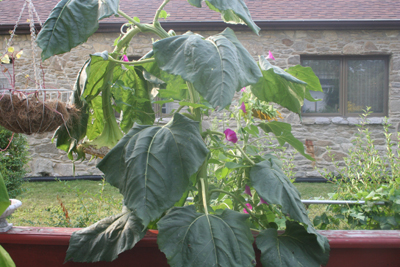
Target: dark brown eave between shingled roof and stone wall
{"type": "Point", "coordinates": [269, 25]}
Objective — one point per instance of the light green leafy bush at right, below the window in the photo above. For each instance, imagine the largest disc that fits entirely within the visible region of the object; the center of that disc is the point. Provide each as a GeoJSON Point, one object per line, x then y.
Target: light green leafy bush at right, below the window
{"type": "Point", "coordinates": [369, 175]}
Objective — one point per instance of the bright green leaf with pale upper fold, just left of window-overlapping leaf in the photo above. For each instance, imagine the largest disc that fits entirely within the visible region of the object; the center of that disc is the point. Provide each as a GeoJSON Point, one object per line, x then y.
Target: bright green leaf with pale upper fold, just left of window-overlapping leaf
{"type": "Point", "coordinates": [279, 87]}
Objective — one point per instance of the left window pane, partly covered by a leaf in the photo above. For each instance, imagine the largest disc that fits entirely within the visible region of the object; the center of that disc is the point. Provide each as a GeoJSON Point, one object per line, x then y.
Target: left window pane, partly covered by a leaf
{"type": "Point", "coordinates": [328, 72]}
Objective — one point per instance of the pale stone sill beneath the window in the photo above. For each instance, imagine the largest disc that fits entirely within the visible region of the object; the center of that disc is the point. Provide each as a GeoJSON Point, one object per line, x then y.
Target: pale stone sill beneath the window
{"type": "Point", "coordinates": [340, 120]}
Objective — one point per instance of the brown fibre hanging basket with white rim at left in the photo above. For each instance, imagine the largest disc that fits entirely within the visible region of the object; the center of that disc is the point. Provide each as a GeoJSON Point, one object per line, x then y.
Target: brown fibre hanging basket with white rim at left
{"type": "Point", "coordinates": [35, 111]}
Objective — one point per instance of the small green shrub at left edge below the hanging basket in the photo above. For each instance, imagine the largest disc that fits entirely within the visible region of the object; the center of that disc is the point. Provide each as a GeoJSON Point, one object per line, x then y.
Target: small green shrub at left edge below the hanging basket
{"type": "Point", "coordinates": [13, 160]}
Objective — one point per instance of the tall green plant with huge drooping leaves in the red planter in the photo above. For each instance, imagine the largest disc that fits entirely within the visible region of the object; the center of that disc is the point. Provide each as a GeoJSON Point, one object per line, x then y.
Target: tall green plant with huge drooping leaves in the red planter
{"type": "Point", "coordinates": [157, 167]}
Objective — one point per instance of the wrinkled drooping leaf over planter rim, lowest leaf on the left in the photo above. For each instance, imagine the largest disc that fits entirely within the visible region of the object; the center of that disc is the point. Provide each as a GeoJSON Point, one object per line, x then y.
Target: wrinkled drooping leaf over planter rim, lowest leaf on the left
{"type": "Point", "coordinates": [104, 240]}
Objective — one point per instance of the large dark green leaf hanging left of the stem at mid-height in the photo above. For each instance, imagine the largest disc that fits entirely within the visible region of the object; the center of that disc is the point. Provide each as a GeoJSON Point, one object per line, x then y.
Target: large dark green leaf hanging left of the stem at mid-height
{"type": "Point", "coordinates": [151, 165]}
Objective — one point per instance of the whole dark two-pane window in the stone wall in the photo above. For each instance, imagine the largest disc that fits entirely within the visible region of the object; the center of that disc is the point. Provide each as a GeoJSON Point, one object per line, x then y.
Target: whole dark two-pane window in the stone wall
{"type": "Point", "coordinates": [350, 84]}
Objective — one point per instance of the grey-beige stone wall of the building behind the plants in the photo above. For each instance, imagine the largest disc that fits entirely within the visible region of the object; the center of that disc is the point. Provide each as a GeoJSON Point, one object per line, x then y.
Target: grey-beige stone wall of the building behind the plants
{"type": "Point", "coordinates": [287, 46]}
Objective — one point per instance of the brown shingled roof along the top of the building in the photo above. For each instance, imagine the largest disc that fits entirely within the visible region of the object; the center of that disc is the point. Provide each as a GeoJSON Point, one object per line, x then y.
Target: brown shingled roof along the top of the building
{"type": "Point", "coordinates": [261, 10]}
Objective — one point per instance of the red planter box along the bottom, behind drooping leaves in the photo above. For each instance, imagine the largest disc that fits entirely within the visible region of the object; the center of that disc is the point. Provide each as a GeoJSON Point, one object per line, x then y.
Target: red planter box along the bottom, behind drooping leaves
{"type": "Point", "coordinates": [35, 246]}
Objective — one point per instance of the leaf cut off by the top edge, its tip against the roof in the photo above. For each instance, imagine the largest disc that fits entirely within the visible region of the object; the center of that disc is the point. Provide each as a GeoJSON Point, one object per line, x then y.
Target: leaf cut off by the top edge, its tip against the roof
{"type": "Point", "coordinates": [232, 11]}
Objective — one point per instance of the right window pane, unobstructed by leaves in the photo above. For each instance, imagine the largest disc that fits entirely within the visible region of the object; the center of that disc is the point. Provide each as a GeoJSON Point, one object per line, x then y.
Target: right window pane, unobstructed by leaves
{"type": "Point", "coordinates": [365, 85]}
